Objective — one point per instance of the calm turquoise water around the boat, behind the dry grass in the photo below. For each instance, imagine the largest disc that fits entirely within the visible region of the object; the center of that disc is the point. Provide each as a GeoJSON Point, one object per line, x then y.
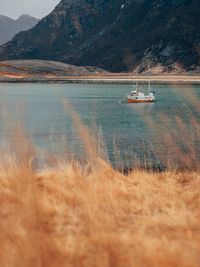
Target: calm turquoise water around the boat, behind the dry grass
{"type": "Point", "coordinates": [129, 131]}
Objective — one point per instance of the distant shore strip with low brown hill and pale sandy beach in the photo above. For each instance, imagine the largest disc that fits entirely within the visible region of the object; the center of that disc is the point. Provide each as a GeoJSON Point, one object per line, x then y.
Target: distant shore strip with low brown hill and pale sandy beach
{"type": "Point", "coordinates": [41, 71]}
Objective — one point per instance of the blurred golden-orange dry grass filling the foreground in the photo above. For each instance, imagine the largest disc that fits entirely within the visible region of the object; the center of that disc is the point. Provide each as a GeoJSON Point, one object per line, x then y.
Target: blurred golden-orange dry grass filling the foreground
{"type": "Point", "coordinates": [96, 216]}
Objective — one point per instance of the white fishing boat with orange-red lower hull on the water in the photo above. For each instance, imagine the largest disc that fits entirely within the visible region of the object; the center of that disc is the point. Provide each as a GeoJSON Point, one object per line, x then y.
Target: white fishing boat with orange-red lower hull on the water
{"type": "Point", "coordinates": [136, 96]}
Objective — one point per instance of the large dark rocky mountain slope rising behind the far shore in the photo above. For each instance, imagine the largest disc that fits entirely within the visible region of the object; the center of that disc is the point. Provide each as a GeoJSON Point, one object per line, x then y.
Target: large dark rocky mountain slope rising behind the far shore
{"type": "Point", "coordinates": [121, 35]}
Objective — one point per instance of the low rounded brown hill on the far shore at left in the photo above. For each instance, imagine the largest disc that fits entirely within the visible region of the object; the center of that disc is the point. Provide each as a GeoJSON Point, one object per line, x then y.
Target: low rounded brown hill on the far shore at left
{"type": "Point", "coordinates": [42, 70]}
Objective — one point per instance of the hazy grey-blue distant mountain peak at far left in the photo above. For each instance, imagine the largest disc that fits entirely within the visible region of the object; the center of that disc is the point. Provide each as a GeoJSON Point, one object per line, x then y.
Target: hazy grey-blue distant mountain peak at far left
{"type": "Point", "coordinates": [9, 27]}
